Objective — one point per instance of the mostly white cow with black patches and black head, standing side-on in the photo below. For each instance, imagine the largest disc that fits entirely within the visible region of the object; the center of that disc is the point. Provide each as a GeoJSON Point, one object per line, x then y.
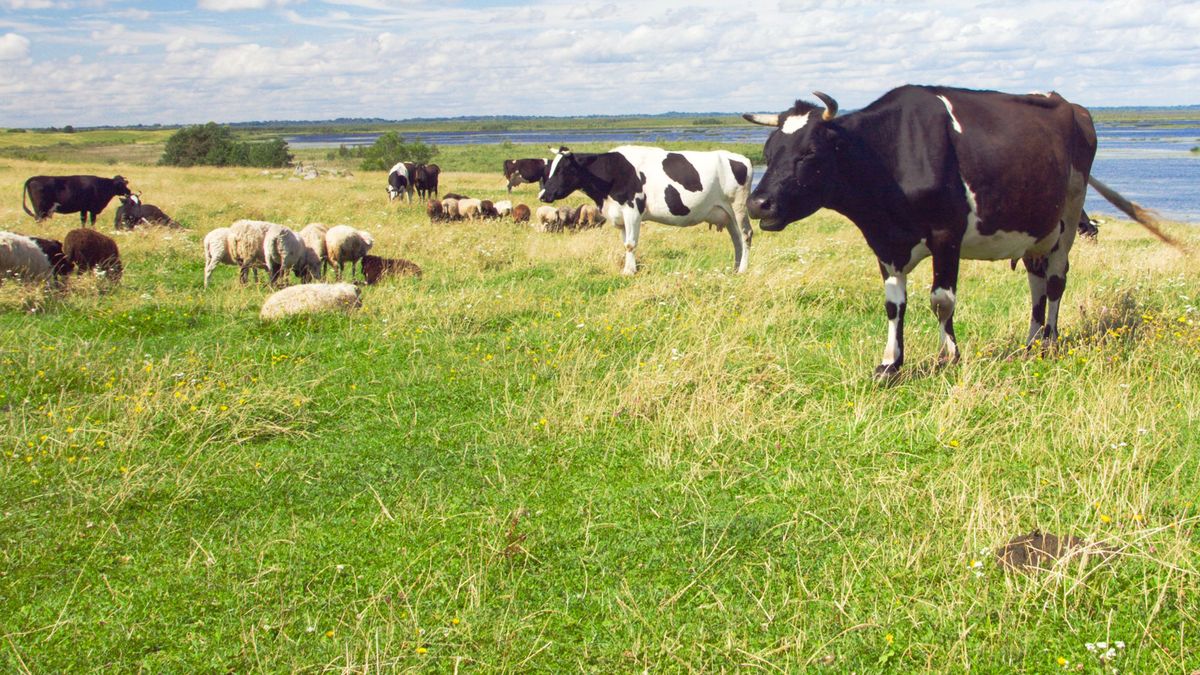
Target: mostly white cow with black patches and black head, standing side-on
{"type": "Point", "coordinates": [634, 183]}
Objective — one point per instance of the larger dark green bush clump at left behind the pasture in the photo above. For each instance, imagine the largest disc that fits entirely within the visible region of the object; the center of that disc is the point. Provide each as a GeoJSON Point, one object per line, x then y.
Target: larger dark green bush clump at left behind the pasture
{"type": "Point", "coordinates": [213, 145]}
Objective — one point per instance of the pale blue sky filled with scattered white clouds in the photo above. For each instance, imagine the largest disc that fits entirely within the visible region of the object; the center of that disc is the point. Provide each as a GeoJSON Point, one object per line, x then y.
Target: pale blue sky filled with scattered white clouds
{"type": "Point", "coordinates": [91, 63]}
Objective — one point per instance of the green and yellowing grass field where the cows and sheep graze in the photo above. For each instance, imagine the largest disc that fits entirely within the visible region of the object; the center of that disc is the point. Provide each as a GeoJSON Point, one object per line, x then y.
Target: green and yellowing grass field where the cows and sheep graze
{"type": "Point", "coordinates": [525, 462]}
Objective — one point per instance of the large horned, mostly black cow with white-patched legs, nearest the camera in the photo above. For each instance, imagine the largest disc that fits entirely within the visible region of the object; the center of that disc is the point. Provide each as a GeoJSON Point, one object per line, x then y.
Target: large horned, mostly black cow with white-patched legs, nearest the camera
{"type": "Point", "coordinates": [943, 174]}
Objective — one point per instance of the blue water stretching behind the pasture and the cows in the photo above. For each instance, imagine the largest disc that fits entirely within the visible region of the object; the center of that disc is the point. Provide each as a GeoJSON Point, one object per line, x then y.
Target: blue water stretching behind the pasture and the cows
{"type": "Point", "coordinates": [1153, 166]}
